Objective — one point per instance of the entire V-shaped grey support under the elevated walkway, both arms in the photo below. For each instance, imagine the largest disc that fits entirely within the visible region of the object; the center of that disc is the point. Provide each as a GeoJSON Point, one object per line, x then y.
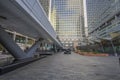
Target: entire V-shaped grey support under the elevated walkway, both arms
{"type": "Point", "coordinates": [14, 49]}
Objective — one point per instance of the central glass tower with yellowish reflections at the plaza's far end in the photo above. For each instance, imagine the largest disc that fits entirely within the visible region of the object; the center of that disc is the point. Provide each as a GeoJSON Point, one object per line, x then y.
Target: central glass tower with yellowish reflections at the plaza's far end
{"type": "Point", "coordinates": [68, 21]}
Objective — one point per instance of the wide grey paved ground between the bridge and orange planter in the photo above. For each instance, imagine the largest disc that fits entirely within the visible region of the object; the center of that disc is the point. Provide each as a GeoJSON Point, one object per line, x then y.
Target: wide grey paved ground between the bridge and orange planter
{"type": "Point", "coordinates": [68, 67]}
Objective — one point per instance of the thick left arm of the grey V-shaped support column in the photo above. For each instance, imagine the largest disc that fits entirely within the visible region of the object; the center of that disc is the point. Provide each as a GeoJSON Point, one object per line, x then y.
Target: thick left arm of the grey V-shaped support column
{"type": "Point", "coordinates": [10, 45]}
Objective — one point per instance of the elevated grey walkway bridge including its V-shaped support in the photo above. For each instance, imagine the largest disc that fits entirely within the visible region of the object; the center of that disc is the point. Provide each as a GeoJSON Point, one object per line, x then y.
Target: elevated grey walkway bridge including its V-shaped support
{"type": "Point", "coordinates": [28, 18]}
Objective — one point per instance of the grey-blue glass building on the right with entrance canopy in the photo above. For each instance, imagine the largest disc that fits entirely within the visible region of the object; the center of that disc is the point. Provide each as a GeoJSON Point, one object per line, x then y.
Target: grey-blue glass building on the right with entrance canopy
{"type": "Point", "coordinates": [104, 23]}
